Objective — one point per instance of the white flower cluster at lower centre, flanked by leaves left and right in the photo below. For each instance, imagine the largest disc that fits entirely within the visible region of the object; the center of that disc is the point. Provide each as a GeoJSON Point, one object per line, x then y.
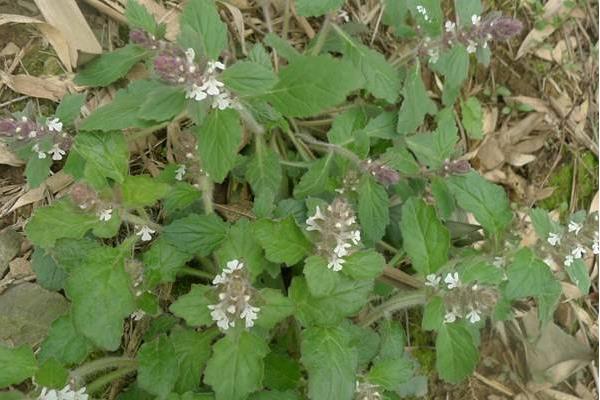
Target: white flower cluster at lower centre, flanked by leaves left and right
{"type": "Point", "coordinates": [234, 297]}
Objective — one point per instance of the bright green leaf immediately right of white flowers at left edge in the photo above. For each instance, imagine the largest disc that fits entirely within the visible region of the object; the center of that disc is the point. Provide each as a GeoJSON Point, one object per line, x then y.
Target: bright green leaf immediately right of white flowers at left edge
{"type": "Point", "coordinates": [106, 153]}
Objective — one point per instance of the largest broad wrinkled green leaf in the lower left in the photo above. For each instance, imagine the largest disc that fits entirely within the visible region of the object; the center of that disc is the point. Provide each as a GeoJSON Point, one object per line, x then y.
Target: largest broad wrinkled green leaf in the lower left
{"type": "Point", "coordinates": [100, 292]}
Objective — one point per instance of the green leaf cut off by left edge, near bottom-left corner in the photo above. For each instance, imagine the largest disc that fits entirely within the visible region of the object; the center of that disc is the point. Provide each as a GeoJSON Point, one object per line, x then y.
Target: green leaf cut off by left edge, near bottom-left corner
{"type": "Point", "coordinates": [17, 363]}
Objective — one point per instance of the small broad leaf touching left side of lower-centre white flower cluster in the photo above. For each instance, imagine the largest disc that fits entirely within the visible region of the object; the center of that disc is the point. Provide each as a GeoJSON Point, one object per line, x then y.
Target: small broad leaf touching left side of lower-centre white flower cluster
{"type": "Point", "coordinates": [193, 306]}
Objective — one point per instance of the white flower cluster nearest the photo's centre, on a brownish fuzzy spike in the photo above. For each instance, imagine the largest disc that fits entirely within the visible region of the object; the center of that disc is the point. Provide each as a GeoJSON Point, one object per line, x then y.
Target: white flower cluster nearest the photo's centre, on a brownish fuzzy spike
{"type": "Point", "coordinates": [337, 228]}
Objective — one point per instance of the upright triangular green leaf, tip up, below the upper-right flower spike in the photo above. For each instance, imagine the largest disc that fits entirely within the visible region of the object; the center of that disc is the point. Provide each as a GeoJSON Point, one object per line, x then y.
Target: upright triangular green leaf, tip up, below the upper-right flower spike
{"type": "Point", "coordinates": [415, 104]}
